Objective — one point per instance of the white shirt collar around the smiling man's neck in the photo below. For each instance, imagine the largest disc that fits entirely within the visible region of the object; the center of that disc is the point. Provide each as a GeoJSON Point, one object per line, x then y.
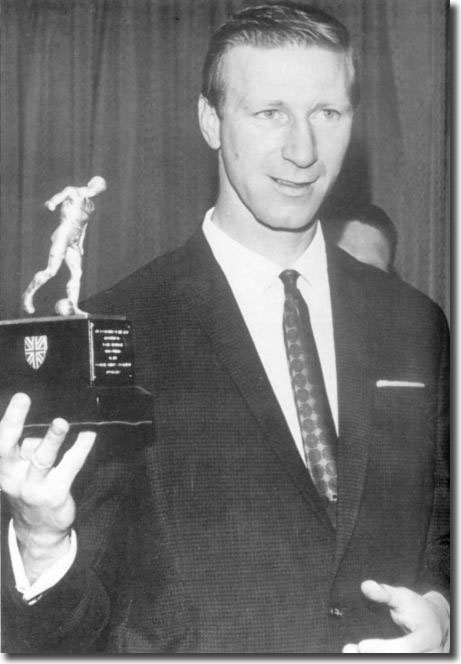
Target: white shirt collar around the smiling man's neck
{"type": "Point", "coordinates": [251, 273]}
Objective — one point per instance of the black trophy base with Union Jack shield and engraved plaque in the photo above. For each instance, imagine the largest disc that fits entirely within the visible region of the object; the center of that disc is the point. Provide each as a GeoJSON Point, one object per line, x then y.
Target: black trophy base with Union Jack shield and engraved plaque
{"type": "Point", "coordinates": [79, 368]}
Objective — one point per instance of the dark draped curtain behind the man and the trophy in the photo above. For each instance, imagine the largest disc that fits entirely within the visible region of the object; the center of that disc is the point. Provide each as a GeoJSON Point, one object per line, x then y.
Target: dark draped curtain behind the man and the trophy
{"type": "Point", "coordinates": [109, 87]}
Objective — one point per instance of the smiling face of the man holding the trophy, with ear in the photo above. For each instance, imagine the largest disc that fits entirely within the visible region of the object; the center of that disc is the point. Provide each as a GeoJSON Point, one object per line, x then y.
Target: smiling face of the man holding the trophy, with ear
{"type": "Point", "coordinates": [282, 133]}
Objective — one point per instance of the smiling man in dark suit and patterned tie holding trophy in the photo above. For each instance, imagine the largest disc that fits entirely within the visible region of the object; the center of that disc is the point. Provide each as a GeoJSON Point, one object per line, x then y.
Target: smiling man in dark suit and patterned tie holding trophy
{"type": "Point", "coordinates": [248, 525]}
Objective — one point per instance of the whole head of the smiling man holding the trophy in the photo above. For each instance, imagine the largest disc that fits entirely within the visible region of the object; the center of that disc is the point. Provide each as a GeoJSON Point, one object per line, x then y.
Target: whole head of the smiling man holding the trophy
{"type": "Point", "coordinates": [279, 87]}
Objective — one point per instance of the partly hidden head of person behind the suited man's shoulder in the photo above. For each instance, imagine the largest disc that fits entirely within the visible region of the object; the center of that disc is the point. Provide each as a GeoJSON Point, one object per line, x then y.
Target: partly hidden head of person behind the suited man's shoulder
{"type": "Point", "coordinates": [368, 234]}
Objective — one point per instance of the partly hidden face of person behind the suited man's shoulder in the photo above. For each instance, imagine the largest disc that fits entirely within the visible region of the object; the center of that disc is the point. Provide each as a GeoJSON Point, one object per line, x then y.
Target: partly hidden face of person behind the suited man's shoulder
{"type": "Point", "coordinates": [367, 244]}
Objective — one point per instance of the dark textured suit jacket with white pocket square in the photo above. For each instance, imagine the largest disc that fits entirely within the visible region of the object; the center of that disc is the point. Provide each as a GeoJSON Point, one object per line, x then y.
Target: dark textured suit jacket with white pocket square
{"type": "Point", "coordinates": [212, 538]}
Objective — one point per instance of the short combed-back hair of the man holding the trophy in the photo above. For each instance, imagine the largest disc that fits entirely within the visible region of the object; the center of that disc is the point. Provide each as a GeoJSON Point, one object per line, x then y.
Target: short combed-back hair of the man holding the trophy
{"type": "Point", "coordinates": [270, 26]}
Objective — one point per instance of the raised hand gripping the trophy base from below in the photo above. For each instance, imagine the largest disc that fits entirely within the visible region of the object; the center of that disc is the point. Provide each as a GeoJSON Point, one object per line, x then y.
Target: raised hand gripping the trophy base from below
{"type": "Point", "coordinates": [39, 493]}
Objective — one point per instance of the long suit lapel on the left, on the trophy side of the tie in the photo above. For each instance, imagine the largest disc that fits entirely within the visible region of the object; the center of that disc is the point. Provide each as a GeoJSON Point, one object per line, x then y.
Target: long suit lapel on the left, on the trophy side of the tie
{"type": "Point", "coordinates": [207, 294]}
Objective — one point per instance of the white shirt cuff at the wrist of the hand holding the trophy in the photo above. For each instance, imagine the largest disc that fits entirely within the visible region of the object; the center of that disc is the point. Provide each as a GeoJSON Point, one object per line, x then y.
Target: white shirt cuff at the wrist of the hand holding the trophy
{"type": "Point", "coordinates": [31, 593]}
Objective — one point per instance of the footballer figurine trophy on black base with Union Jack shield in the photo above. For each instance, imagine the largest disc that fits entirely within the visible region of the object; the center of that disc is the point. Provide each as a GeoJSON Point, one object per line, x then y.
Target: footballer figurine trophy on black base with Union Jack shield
{"type": "Point", "coordinates": [73, 364]}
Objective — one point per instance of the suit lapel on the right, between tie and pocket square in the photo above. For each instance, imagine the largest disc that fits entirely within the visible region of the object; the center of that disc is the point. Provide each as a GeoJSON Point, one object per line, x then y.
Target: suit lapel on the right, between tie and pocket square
{"type": "Point", "coordinates": [352, 346]}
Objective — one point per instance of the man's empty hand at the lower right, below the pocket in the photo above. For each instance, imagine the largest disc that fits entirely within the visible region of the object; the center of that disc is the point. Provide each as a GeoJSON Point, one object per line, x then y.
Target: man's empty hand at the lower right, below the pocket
{"type": "Point", "coordinates": [424, 621]}
